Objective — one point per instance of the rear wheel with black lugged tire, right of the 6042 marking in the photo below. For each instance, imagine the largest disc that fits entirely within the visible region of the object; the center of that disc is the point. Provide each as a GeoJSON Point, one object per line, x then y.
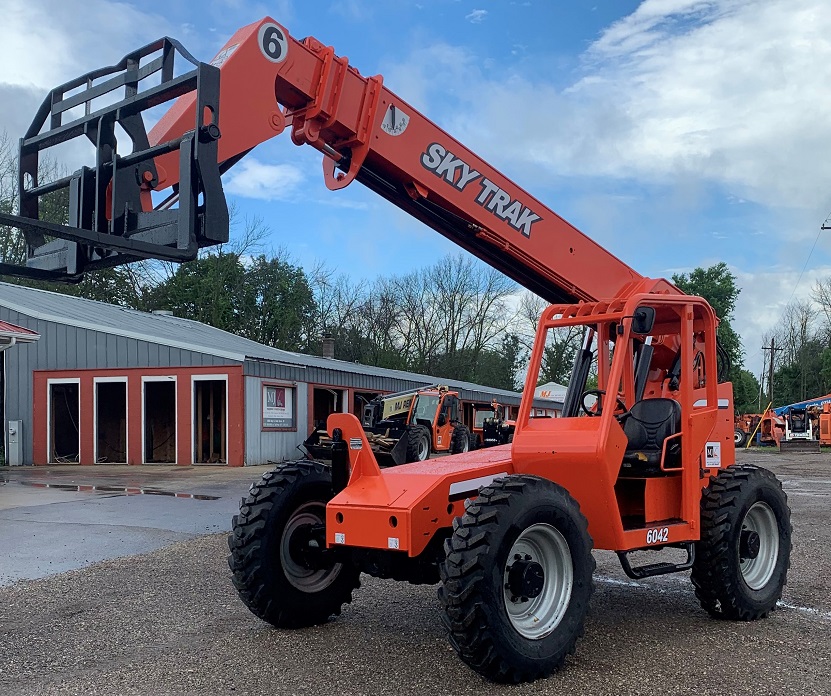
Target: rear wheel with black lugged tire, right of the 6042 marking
{"type": "Point", "coordinates": [742, 560]}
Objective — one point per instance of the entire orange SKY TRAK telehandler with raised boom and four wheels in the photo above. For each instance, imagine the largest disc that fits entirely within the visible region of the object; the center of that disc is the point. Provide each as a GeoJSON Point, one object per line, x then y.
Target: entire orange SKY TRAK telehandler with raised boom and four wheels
{"type": "Point", "coordinates": [507, 531]}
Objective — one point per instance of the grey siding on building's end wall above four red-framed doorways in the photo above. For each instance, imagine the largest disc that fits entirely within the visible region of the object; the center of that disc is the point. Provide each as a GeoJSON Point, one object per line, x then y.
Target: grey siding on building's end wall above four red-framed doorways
{"type": "Point", "coordinates": [63, 347]}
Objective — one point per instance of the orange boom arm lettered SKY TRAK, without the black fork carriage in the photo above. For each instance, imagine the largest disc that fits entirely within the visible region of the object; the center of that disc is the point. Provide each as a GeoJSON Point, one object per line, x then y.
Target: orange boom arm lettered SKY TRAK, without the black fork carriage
{"type": "Point", "coordinates": [370, 135]}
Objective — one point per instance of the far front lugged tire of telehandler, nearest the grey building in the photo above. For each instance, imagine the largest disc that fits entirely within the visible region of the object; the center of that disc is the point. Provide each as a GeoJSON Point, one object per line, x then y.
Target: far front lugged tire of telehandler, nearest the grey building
{"type": "Point", "coordinates": [273, 577]}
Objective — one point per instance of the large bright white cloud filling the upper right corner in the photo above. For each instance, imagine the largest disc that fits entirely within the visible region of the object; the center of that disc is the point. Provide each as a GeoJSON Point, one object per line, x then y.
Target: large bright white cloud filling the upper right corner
{"type": "Point", "coordinates": [727, 90]}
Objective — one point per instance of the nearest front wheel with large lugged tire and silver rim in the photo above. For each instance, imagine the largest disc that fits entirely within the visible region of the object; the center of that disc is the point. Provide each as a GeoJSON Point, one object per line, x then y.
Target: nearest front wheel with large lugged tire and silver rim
{"type": "Point", "coordinates": [517, 579]}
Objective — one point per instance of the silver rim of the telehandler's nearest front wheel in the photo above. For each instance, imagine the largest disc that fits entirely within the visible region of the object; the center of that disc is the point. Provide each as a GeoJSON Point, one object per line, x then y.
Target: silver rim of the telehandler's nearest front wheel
{"type": "Point", "coordinates": [536, 617]}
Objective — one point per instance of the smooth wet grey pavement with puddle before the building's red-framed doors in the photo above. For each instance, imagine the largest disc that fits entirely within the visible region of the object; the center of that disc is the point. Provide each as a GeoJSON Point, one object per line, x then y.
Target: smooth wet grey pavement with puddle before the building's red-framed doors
{"type": "Point", "coordinates": [59, 518]}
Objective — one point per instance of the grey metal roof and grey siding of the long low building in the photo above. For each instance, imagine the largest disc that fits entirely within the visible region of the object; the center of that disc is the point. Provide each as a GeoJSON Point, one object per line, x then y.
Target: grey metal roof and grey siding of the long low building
{"type": "Point", "coordinates": [83, 334]}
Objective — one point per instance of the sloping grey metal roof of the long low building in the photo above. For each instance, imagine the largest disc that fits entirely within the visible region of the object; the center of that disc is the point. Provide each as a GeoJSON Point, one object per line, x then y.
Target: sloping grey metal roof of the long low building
{"type": "Point", "coordinates": [186, 334]}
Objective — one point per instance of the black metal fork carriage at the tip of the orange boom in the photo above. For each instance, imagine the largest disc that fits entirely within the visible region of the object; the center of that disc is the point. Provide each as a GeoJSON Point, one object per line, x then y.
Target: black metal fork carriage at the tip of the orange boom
{"type": "Point", "coordinates": [112, 218]}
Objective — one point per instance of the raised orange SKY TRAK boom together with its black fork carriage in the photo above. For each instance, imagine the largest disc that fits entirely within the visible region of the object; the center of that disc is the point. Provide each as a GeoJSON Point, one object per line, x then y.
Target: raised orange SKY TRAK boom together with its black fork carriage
{"type": "Point", "coordinates": [271, 82]}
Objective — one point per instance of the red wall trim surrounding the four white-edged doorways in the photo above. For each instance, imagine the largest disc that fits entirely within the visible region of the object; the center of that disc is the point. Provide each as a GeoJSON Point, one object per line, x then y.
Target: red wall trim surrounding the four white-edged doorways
{"type": "Point", "coordinates": [235, 410]}
